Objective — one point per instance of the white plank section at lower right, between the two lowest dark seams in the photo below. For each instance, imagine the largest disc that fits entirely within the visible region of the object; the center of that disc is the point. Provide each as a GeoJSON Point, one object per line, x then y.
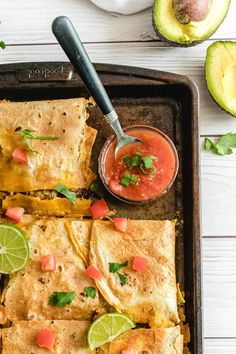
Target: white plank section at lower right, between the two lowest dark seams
{"type": "Point", "coordinates": [219, 287]}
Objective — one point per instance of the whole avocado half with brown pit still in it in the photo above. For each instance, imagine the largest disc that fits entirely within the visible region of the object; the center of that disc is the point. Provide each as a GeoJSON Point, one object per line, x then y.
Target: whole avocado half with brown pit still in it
{"type": "Point", "coordinates": [188, 22]}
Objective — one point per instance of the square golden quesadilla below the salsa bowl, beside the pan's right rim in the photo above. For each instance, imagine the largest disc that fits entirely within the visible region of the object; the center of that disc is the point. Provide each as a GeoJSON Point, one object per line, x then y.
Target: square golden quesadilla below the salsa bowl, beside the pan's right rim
{"type": "Point", "coordinates": [149, 296]}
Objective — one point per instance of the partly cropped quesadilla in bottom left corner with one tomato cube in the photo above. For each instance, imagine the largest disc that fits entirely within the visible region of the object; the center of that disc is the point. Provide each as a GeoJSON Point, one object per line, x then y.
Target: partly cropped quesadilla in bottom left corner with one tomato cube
{"type": "Point", "coordinates": [21, 337]}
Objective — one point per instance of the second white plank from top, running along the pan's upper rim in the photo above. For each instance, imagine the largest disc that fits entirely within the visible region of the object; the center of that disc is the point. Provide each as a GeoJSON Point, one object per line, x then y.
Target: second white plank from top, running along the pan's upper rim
{"type": "Point", "coordinates": [213, 120]}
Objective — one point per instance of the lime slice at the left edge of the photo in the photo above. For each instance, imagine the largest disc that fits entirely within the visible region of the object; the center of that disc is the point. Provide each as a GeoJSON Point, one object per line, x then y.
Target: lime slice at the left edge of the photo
{"type": "Point", "coordinates": [14, 249]}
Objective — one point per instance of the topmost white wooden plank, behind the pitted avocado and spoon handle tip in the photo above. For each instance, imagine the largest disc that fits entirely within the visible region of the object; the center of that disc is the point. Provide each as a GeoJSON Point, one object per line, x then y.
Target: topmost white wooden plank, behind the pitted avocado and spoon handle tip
{"type": "Point", "coordinates": [30, 21]}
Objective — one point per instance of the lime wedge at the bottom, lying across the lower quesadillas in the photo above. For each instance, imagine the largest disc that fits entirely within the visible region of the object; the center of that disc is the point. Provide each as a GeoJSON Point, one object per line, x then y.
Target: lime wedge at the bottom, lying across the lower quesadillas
{"type": "Point", "coordinates": [106, 328]}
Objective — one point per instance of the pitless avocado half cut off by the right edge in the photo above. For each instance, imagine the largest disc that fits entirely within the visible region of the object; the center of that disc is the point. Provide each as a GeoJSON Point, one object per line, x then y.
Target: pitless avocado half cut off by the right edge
{"type": "Point", "coordinates": [221, 74]}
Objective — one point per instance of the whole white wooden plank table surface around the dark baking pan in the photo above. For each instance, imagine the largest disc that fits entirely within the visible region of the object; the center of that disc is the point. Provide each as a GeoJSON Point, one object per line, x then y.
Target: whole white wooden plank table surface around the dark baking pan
{"type": "Point", "coordinates": [130, 40]}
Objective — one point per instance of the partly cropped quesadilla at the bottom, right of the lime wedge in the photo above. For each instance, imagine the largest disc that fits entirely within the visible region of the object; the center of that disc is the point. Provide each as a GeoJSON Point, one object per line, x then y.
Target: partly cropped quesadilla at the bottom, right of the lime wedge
{"type": "Point", "coordinates": [153, 341]}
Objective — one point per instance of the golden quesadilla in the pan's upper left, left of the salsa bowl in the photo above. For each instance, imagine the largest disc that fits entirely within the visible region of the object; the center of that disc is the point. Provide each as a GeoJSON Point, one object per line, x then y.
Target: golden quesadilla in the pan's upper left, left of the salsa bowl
{"type": "Point", "coordinates": [64, 161]}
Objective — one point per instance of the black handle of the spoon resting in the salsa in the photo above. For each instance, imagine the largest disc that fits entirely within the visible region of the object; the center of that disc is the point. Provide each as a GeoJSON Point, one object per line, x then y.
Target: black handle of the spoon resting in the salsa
{"type": "Point", "coordinates": [70, 42]}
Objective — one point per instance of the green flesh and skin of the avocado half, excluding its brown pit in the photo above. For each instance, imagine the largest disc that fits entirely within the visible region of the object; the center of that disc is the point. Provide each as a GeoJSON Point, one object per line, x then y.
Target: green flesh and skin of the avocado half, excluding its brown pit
{"type": "Point", "coordinates": [169, 29]}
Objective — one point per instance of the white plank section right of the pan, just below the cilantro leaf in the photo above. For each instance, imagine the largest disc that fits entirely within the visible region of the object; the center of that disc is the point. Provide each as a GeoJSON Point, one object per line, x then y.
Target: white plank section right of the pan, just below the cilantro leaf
{"type": "Point", "coordinates": [218, 194]}
